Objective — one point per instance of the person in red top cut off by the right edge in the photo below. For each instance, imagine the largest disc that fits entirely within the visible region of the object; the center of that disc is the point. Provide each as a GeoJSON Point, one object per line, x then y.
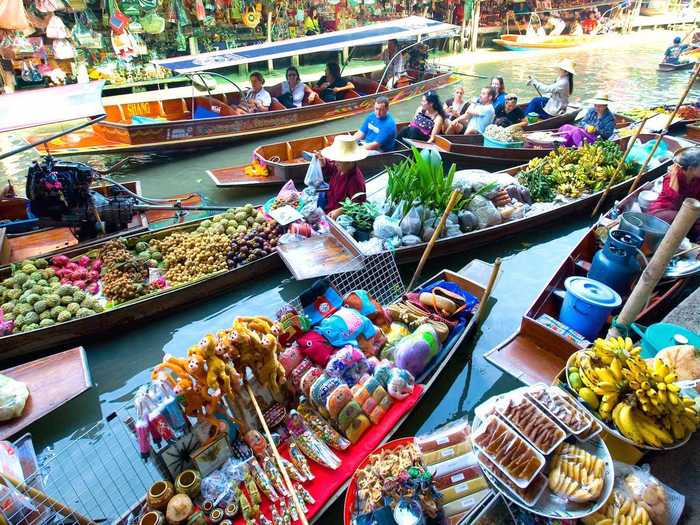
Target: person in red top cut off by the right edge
{"type": "Point", "coordinates": [681, 182]}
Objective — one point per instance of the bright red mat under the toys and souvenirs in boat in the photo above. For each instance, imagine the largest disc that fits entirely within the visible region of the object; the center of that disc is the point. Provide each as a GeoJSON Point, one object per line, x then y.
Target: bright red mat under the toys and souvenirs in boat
{"type": "Point", "coordinates": [327, 481]}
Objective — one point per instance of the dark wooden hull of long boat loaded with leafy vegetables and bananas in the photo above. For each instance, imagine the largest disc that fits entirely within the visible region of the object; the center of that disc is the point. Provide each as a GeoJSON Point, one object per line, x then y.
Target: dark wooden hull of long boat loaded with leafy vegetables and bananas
{"type": "Point", "coordinates": [466, 241]}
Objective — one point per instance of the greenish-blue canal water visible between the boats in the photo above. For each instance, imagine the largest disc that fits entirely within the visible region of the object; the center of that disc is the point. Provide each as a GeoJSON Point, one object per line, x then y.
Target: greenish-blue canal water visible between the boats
{"type": "Point", "coordinates": [120, 362]}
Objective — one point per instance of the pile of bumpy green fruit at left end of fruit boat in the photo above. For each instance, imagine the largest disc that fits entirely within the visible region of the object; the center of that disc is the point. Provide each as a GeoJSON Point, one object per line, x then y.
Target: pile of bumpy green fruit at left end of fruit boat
{"type": "Point", "coordinates": [33, 297]}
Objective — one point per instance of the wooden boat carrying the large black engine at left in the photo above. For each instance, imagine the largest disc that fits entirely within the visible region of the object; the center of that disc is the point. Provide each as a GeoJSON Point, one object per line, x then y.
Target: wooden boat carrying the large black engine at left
{"type": "Point", "coordinates": [53, 240]}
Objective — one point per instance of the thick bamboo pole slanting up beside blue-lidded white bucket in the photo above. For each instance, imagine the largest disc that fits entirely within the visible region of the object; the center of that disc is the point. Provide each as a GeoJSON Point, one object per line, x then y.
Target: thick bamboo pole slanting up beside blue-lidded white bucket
{"type": "Point", "coordinates": [681, 225]}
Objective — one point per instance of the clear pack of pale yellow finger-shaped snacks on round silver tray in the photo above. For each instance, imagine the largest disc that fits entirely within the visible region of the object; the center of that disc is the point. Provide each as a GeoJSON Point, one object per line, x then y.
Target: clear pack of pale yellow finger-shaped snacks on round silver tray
{"type": "Point", "coordinates": [575, 474]}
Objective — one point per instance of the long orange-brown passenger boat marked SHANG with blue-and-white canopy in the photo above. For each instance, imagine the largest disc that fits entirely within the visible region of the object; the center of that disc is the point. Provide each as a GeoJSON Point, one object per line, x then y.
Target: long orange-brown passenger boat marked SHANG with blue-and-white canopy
{"type": "Point", "coordinates": [191, 120]}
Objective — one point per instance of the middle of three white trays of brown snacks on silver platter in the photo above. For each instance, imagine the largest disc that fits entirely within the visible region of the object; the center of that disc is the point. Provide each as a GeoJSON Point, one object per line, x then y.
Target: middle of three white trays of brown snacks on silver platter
{"type": "Point", "coordinates": [531, 422]}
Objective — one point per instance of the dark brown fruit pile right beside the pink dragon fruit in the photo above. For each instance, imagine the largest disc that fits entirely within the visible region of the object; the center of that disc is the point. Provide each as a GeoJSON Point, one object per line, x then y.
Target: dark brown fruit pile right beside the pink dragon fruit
{"type": "Point", "coordinates": [123, 275]}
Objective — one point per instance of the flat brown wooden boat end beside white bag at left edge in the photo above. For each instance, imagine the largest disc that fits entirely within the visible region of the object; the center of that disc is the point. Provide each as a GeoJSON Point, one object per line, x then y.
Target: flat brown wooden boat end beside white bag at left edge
{"type": "Point", "coordinates": [52, 382]}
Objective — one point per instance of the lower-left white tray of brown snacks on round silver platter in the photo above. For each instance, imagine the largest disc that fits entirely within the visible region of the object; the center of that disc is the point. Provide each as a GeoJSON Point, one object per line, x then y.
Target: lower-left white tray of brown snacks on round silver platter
{"type": "Point", "coordinates": [511, 453]}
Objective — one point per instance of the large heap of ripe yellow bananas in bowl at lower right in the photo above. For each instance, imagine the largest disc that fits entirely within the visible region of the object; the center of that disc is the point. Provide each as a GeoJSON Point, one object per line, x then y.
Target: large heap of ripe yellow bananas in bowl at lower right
{"type": "Point", "coordinates": [639, 397]}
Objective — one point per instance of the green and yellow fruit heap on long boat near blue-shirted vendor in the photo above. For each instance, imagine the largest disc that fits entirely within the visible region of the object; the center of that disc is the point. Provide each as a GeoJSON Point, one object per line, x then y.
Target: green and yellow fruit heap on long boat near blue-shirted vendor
{"type": "Point", "coordinates": [573, 172]}
